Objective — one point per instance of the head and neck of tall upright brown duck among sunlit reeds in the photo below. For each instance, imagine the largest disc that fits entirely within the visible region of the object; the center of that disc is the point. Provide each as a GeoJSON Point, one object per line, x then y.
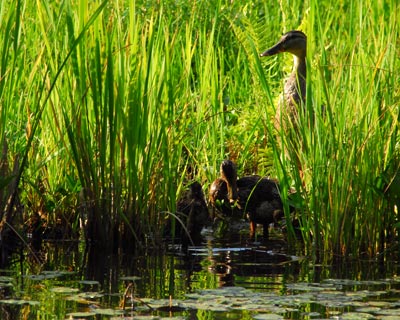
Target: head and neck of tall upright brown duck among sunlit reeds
{"type": "Point", "coordinates": [294, 42]}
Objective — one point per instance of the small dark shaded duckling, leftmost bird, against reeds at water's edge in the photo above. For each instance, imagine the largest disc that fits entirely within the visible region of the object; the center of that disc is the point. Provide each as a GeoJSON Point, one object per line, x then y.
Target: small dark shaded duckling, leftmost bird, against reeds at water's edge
{"type": "Point", "coordinates": [192, 212]}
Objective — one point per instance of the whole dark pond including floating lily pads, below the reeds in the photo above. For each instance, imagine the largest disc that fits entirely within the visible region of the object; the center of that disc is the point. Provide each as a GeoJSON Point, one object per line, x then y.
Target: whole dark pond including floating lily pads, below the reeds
{"type": "Point", "coordinates": [221, 279]}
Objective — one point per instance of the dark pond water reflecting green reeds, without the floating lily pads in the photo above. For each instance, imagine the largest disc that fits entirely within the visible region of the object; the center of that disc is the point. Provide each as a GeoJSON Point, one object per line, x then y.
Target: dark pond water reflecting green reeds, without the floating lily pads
{"type": "Point", "coordinates": [269, 268]}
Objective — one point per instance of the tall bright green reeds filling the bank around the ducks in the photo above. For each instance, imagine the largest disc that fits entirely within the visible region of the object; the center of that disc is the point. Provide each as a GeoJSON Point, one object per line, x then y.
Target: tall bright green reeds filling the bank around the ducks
{"type": "Point", "coordinates": [129, 101]}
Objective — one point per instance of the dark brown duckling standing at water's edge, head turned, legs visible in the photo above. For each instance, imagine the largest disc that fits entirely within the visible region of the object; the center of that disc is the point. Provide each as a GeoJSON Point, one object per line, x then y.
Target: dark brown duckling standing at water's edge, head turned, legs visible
{"type": "Point", "coordinates": [257, 196]}
